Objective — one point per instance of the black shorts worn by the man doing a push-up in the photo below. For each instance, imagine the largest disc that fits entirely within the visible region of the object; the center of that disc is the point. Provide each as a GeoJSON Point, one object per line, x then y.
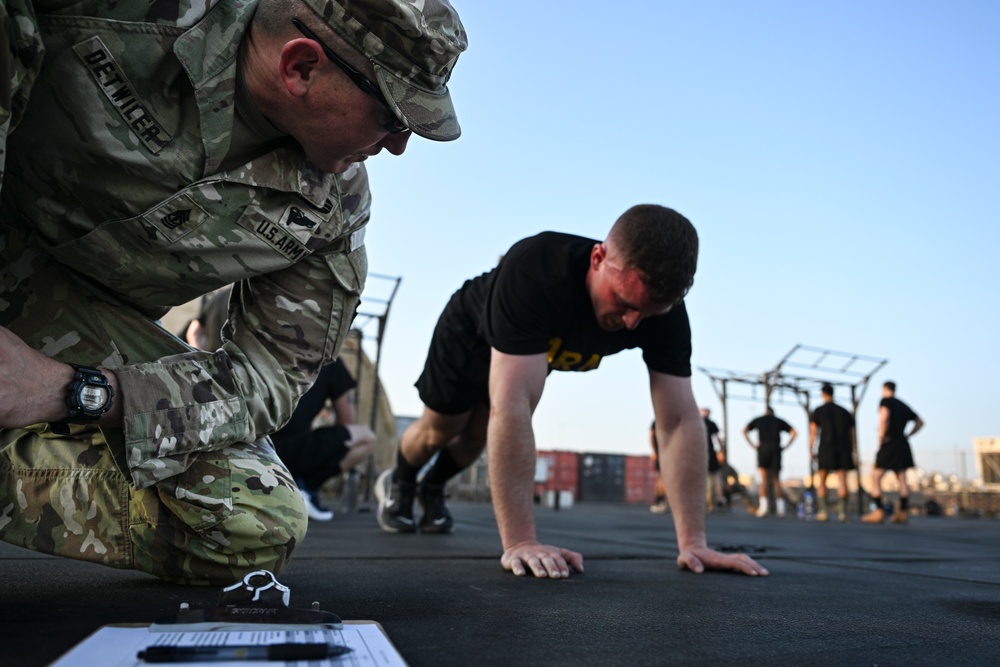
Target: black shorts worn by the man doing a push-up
{"type": "Point", "coordinates": [456, 375]}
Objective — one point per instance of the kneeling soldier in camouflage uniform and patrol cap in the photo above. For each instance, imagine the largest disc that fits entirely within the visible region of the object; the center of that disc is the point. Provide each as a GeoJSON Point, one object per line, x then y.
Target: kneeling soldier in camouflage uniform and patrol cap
{"type": "Point", "coordinates": [156, 151]}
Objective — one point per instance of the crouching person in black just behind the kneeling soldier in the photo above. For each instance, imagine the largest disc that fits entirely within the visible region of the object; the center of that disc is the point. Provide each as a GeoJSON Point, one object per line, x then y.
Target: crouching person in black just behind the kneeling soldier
{"type": "Point", "coordinates": [314, 455]}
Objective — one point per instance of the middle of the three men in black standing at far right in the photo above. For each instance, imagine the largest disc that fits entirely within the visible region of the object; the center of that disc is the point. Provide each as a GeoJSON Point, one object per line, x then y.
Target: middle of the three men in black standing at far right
{"type": "Point", "coordinates": [836, 450]}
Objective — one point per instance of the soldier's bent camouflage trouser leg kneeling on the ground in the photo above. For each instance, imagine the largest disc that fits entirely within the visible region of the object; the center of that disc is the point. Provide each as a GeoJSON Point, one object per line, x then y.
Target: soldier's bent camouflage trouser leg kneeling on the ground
{"type": "Point", "coordinates": [231, 512]}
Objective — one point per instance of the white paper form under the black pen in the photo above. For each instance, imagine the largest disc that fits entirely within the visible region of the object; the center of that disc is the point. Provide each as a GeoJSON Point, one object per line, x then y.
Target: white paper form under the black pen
{"type": "Point", "coordinates": [114, 646]}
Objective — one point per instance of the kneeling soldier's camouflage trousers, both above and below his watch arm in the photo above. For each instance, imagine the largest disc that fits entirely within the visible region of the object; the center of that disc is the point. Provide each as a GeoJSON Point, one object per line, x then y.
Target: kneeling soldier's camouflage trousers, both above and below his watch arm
{"type": "Point", "coordinates": [231, 511]}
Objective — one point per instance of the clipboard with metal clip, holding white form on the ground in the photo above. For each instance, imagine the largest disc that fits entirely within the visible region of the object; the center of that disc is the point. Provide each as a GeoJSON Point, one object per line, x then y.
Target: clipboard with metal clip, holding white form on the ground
{"type": "Point", "coordinates": [253, 612]}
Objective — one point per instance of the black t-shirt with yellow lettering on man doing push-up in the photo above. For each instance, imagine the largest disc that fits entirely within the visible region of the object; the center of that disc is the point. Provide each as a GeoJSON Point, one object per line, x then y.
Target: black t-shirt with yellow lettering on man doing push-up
{"type": "Point", "coordinates": [536, 301]}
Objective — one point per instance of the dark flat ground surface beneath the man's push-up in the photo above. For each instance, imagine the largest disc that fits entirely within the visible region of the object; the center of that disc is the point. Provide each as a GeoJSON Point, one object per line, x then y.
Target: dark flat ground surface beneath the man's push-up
{"type": "Point", "coordinates": [926, 593]}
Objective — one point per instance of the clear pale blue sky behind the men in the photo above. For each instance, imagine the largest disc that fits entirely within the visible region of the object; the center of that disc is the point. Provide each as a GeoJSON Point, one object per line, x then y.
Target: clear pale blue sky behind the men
{"type": "Point", "coordinates": [841, 161]}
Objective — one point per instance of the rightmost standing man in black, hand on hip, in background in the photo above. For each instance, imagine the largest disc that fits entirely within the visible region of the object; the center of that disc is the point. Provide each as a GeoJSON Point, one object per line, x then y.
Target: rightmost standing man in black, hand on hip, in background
{"type": "Point", "coordinates": [894, 454]}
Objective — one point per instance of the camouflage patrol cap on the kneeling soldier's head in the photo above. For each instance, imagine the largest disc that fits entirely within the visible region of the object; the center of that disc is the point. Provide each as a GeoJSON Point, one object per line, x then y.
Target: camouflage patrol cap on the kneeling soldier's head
{"type": "Point", "coordinates": [413, 45]}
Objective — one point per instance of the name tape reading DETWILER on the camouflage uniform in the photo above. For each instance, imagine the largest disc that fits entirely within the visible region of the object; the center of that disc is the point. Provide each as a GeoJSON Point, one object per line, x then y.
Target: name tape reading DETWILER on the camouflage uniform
{"type": "Point", "coordinates": [116, 87]}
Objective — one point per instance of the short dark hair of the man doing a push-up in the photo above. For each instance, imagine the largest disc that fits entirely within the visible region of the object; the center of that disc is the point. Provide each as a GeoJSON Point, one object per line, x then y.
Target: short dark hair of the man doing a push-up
{"type": "Point", "coordinates": [662, 245]}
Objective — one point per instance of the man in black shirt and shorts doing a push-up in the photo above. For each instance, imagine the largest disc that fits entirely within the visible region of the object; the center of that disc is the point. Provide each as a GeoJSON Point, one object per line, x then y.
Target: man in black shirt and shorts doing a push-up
{"type": "Point", "coordinates": [557, 302]}
